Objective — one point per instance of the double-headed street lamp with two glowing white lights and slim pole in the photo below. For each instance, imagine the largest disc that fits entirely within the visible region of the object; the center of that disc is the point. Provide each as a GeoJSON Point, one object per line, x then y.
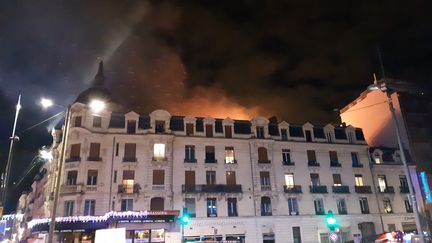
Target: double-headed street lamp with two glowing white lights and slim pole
{"type": "Point", "coordinates": [96, 106]}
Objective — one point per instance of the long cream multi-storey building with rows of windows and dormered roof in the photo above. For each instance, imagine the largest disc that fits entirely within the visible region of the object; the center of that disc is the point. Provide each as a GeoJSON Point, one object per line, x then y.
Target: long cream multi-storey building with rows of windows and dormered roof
{"type": "Point", "coordinates": [241, 181]}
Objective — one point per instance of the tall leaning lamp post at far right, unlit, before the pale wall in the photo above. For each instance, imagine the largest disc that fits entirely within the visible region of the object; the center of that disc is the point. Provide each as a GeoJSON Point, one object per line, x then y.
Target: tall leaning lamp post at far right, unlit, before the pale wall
{"type": "Point", "coordinates": [382, 86]}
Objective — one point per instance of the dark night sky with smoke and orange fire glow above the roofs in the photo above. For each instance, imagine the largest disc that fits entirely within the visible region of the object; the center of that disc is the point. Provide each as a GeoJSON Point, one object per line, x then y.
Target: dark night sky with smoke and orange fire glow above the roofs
{"type": "Point", "coordinates": [298, 60]}
